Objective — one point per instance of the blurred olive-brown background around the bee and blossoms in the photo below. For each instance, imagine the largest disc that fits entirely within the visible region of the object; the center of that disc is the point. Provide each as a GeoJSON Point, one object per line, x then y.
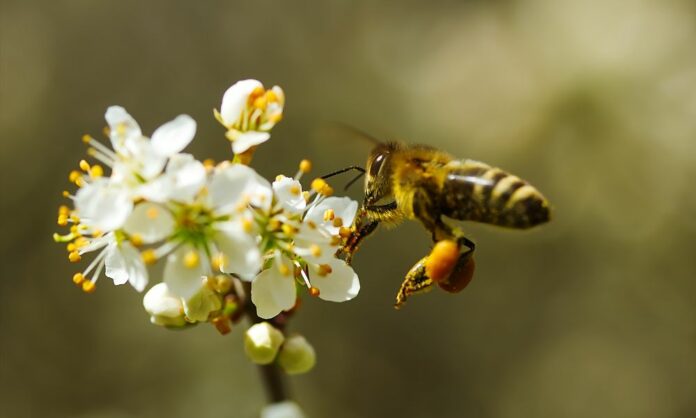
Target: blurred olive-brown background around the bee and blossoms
{"type": "Point", "coordinates": [593, 102]}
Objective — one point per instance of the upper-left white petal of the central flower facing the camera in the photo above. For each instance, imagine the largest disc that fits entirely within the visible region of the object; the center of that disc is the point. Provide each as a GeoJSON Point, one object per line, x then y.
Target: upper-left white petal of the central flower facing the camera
{"type": "Point", "coordinates": [187, 177]}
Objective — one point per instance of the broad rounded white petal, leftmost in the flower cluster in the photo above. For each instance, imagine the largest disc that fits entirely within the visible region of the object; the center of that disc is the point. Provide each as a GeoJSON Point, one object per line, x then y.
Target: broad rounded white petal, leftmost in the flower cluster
{"type": "Point", "coordinates": [103, 205]}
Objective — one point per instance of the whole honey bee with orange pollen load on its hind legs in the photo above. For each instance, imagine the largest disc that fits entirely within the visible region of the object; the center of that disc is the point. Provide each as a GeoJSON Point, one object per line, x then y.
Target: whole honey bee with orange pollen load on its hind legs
{"type": "Point", "coordinates": [416, 182]}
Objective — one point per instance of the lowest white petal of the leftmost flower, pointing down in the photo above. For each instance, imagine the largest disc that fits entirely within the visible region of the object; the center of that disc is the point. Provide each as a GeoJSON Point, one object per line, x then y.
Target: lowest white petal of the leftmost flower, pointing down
{"type": "Point", "coordinates": [124, 264]}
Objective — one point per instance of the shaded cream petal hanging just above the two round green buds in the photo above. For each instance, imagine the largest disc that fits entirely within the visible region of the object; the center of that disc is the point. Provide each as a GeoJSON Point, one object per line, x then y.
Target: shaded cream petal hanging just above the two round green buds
{"type": "Point", "coordinates": [273, 292]}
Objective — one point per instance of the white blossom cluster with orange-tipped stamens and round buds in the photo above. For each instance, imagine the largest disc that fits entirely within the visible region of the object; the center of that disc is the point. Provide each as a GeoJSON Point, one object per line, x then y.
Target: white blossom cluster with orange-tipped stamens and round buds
{"type": "Point", "coordinates": [227, 236]}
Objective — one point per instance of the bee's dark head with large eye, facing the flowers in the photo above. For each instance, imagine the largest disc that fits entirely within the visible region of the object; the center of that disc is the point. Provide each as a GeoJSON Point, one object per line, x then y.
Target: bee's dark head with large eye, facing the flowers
{"type": "Point", "coordinates": [378, 174]}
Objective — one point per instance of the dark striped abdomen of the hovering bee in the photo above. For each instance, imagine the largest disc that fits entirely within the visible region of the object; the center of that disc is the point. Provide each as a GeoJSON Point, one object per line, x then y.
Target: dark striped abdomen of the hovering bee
{"type": "Point", "coordinates": [475, 191]}
